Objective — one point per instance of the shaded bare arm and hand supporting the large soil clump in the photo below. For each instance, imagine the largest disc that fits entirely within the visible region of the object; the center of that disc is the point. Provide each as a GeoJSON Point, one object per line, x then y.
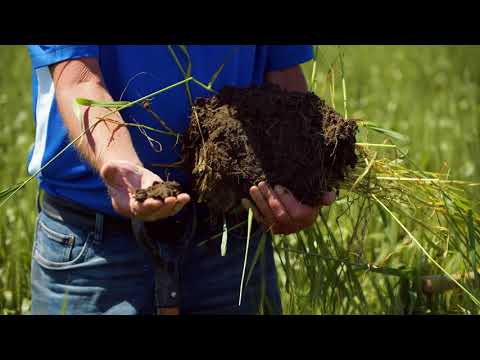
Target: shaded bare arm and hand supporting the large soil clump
{"type": "Point", "coordinates": [279, 210]}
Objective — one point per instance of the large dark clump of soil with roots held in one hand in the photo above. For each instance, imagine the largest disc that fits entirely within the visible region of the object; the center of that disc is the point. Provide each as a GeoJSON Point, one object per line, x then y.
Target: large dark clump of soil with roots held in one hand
{"type": "Point", "coordinates": [246, 135]}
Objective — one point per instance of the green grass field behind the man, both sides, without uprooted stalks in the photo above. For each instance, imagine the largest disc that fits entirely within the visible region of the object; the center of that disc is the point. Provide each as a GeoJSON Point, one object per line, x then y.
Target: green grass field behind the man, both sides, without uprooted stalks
{"type": "Point", "coordinates": [429, 93]}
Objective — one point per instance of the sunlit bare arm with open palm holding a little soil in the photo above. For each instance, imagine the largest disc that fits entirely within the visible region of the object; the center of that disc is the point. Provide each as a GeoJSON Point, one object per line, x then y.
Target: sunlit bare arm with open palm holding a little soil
{"type": "Point", "coordinates": [108, 146]}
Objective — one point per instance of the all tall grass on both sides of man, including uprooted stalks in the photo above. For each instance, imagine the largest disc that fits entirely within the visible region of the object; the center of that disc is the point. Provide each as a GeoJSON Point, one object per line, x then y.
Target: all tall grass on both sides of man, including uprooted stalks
{"type": "Point", "coordinates": [357, 258]}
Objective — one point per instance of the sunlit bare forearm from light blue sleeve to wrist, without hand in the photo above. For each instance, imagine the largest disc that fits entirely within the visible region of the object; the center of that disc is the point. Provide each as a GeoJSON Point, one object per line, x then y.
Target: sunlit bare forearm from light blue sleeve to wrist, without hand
{"type": "Point", "coordinates": [104, 140]}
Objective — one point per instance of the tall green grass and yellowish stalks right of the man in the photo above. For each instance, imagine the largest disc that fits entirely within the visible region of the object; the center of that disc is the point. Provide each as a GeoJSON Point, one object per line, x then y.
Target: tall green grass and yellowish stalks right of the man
{"type": "Point", "coordinates": [362, 257]}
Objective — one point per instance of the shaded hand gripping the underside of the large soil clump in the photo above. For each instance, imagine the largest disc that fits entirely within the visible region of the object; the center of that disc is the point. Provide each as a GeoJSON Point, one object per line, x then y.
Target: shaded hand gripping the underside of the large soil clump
{"type": "Point", "coordinates": [280, 211]}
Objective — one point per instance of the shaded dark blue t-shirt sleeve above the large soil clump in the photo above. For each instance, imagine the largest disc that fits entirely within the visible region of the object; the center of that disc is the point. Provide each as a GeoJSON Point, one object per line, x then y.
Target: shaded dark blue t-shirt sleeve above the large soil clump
{"type": "Point", "coordinates": [284, 56]}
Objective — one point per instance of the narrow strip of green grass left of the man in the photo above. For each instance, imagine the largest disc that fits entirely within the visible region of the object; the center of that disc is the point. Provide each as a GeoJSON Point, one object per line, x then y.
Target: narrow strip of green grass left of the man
{"type": "Point", "coordinates": [17, 219]}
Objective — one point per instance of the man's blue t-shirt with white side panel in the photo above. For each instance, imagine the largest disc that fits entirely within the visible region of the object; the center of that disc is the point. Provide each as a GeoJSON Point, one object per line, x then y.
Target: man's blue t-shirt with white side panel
{"type": "Point", "coordinates": [130, 72]}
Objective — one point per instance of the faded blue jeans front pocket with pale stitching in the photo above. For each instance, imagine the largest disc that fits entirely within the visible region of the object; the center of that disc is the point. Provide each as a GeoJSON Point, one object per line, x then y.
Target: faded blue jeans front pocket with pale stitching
{"type": "Point", "coordinates": [59, 245]}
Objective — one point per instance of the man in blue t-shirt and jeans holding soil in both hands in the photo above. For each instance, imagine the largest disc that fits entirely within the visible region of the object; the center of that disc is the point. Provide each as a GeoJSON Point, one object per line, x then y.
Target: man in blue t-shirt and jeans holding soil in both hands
{"type": "Point", "coordinates": [85, 258]}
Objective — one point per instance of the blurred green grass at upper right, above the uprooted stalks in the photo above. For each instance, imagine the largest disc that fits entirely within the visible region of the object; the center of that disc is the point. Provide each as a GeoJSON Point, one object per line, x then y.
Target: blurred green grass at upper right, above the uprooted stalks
{"type": "Point", "coordinates": [430, 93]}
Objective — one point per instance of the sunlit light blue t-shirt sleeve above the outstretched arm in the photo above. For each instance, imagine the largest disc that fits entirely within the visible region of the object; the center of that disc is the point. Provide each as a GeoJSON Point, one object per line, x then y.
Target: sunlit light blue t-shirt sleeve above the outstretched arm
{"type": "Point", "coordinates": [44, 55]}
